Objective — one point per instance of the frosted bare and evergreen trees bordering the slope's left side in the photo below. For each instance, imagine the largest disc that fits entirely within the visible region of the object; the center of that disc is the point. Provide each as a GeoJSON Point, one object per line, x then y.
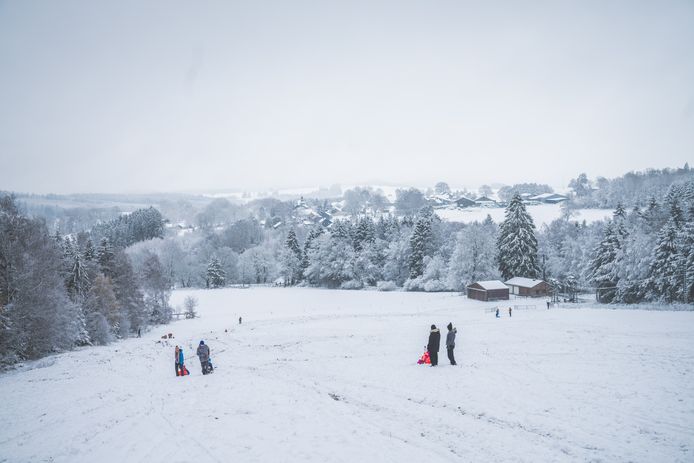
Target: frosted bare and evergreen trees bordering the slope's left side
{"type": "Point", "coordinates": [57, 292]}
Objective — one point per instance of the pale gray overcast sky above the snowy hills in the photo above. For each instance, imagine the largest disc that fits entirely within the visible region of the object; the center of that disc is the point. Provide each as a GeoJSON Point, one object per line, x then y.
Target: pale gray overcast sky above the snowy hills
{"type": "Point", "coordinates": [161, 96]}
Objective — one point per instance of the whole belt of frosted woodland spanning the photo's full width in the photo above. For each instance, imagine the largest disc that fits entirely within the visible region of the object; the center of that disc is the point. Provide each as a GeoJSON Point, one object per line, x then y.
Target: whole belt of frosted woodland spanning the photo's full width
{"type": "Point", "coordinates": [113, 278]}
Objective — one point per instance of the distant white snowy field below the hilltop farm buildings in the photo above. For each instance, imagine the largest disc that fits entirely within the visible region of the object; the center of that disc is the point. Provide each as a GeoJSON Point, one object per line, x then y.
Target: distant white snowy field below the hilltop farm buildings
{"type": "Point", "coordinates": [543, 214]}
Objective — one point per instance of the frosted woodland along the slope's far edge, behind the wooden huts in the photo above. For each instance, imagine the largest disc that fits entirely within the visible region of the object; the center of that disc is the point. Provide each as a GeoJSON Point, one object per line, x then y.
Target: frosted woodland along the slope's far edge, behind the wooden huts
{"type": "Point", "coordinates": [641, 254]}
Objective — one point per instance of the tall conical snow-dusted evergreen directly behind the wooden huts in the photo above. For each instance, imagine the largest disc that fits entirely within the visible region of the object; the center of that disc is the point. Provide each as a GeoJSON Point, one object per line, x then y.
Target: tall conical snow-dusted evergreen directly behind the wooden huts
{"type": "Point", "coordinates": [516, 244]}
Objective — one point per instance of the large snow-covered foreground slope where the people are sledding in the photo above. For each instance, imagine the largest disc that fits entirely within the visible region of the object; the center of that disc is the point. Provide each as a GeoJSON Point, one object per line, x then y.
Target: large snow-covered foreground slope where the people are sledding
{"type": "Point", "coordinates": [319, 375]}
